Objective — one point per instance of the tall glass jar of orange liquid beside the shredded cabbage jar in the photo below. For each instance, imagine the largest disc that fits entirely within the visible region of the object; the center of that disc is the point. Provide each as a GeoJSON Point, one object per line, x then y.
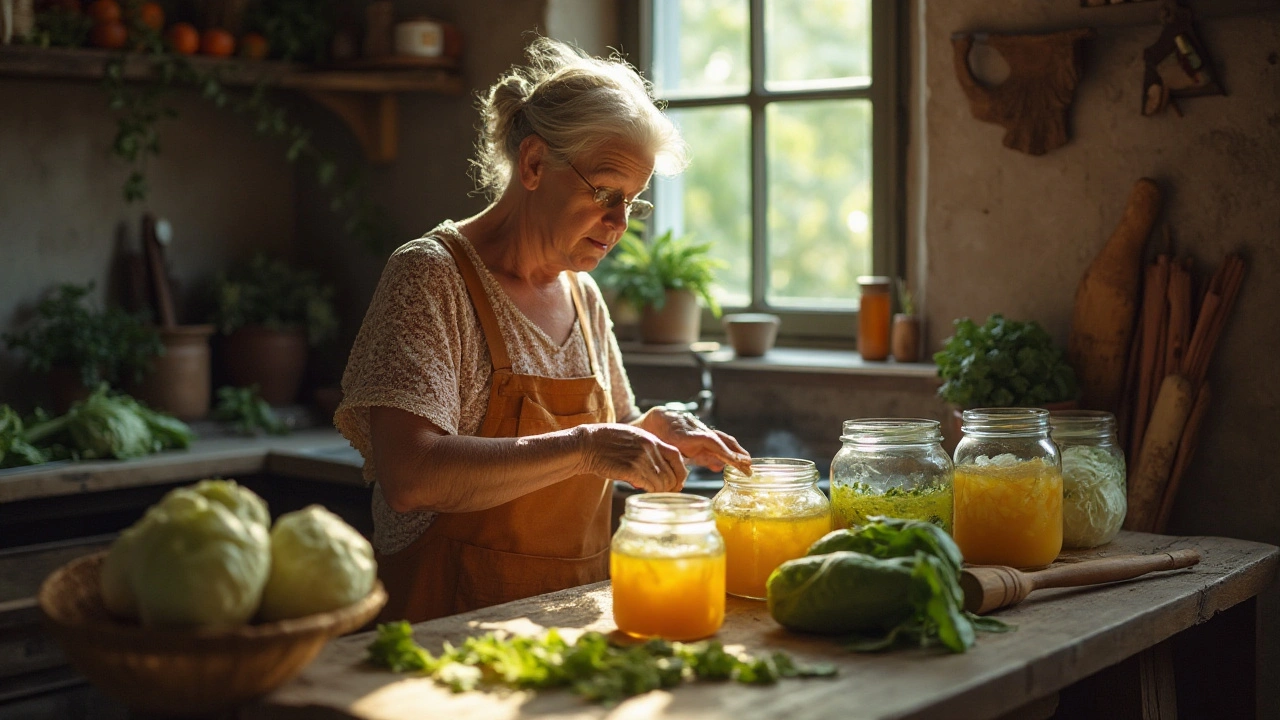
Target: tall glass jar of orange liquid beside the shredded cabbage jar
{"type": "Point", "coordinates": [1008, 489]}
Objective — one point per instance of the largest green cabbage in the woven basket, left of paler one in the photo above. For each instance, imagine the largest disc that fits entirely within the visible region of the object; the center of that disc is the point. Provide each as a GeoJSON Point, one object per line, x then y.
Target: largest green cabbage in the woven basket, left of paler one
{"type": "Point", "coordinates": [196, 564]}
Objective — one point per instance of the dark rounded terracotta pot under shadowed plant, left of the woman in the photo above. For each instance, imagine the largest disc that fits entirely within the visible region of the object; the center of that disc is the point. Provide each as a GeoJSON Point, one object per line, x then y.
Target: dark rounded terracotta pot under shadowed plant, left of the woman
{"type": "Point", "coordinates": [273, 361]}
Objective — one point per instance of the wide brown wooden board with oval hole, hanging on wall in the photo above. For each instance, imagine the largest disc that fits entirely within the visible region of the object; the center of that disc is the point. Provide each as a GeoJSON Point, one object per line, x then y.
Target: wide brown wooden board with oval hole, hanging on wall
{"type": "Point", "coordinates": [1032, 103]}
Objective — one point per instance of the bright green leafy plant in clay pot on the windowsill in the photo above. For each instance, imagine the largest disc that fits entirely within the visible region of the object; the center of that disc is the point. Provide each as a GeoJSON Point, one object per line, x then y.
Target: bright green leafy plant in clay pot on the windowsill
{"type": "Point", "coordinates": [664, 280]}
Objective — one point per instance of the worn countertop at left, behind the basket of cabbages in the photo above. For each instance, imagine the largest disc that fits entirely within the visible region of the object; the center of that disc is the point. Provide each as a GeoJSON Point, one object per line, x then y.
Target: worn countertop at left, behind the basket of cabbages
{"type": "Point", "coordinates": [318, 454]}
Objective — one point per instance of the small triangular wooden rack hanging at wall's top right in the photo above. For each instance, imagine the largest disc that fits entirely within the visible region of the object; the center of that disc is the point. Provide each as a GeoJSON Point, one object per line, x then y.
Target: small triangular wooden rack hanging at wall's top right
{"type": "Point", "coordinates": [1178, 65]}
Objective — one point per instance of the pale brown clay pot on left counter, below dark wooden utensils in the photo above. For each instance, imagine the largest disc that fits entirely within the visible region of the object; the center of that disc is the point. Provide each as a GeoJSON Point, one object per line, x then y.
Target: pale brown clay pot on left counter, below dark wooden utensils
{"type": "Point", "coordinates": [180, 385]}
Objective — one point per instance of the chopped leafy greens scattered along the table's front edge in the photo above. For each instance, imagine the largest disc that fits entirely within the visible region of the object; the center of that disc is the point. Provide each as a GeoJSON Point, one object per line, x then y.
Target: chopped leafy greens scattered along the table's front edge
{"type": "Point", "coordinates": [591, 667]}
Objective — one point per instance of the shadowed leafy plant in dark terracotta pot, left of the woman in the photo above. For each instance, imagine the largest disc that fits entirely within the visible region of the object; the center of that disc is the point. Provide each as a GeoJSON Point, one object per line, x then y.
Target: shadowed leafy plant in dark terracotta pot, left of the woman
{"type": "Point", "coordinates": [271, 313]}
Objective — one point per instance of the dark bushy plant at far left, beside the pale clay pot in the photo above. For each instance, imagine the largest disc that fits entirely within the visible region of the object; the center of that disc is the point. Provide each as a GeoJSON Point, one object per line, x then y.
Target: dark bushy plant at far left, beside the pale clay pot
{"type": "Point", "coordinates": [80, 347]}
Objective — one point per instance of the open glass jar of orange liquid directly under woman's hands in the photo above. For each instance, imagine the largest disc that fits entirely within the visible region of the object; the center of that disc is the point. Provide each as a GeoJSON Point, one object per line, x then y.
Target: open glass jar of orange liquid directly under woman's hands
{"type": "Point", "coordinates": [769, 518]}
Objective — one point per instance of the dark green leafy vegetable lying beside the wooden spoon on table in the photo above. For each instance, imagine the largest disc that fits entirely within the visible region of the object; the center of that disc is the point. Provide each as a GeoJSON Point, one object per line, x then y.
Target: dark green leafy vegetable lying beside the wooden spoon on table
{"type": "Point", "coordinates": [890, 584]}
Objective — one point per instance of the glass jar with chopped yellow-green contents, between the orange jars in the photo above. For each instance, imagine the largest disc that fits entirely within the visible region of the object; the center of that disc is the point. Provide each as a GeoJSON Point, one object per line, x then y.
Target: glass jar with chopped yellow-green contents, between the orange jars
{"type": "Point", "coordinates": [895, 468]}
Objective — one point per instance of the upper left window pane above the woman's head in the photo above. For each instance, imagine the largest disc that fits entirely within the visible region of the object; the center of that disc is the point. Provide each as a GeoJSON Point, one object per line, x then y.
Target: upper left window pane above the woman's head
{"type": "Point", "coordinates": [700, 48]}
